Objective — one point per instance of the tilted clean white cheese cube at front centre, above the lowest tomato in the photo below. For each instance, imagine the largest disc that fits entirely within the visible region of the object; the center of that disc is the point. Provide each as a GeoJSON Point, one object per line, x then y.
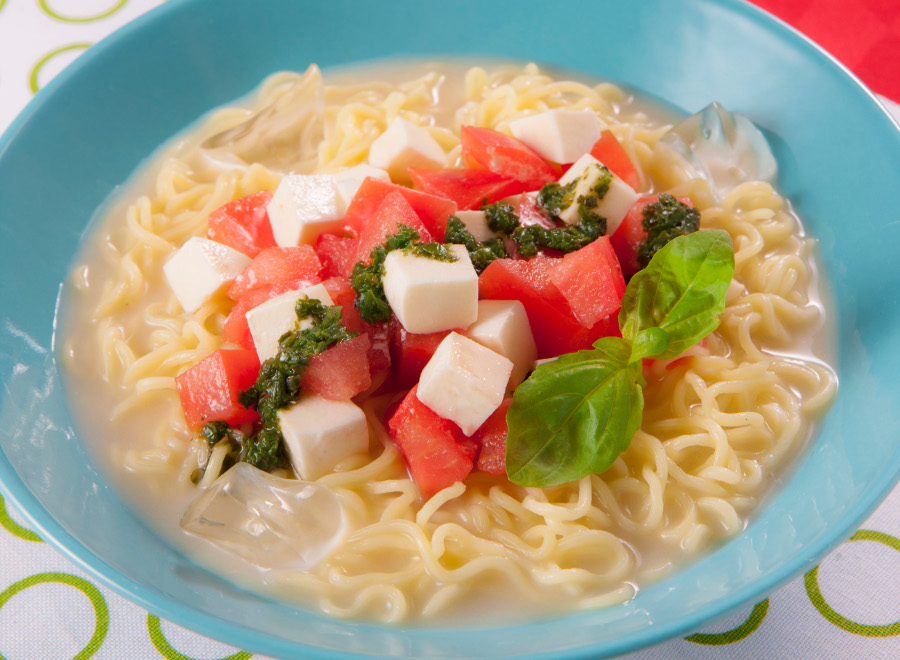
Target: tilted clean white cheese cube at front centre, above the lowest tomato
{"type": "Point", "coordinates": [464, 382]}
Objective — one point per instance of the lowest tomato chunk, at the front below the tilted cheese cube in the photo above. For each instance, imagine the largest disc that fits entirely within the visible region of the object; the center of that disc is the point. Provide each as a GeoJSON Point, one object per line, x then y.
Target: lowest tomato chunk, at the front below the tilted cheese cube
{"type": "Point", "coordinates": [430, 444]}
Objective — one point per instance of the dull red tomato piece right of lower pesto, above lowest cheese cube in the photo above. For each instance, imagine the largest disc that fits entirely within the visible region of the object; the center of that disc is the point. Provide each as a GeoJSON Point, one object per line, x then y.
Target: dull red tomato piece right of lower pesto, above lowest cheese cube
{"type": "Point", "coordinates": [342, 371]}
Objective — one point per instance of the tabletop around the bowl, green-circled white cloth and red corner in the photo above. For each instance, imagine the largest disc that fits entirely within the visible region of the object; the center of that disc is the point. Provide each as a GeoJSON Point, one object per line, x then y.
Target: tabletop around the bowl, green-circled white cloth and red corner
{"type": "Point", "coordinates": [847, 607]}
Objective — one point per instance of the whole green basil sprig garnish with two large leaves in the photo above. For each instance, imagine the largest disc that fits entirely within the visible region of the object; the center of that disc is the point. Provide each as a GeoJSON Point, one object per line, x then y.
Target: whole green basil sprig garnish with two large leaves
{"type": "Point", "coordinates": [574, 415]}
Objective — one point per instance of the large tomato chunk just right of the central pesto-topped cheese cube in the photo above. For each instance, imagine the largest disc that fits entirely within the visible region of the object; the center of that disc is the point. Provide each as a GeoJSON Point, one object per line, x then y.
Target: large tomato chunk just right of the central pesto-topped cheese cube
{"type": "Point", "coordinates": [554, 326]}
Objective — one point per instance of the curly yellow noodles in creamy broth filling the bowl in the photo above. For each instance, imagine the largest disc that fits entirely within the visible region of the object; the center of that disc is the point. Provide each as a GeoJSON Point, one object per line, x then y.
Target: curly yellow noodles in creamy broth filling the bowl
{"type": "Point", "coordinates": [719, 423]}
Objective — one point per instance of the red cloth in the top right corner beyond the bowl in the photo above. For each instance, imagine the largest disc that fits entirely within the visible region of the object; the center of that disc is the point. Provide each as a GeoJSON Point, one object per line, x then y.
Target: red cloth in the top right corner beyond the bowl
{"type": "Point", "coordinates": [864, 35]}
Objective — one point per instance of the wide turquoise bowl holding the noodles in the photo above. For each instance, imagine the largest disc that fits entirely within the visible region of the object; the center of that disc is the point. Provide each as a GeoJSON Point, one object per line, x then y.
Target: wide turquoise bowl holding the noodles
{"type": "Point", "coordinates": [81, 137]}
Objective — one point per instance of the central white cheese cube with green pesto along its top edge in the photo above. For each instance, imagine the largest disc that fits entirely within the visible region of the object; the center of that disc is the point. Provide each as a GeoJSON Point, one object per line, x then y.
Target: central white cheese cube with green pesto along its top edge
{"type": "Point", "coordinates": [429, 295]}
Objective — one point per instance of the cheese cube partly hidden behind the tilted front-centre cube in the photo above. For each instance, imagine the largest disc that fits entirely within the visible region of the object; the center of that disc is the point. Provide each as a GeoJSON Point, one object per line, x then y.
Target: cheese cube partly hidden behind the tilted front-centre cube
{"type": "Point", "coordinates": [503, 327]}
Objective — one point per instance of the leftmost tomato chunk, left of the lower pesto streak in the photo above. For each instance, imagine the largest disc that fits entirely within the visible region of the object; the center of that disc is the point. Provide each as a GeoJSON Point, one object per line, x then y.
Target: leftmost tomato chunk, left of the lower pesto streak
{"type": "Point", "coordinates": [209, 391]}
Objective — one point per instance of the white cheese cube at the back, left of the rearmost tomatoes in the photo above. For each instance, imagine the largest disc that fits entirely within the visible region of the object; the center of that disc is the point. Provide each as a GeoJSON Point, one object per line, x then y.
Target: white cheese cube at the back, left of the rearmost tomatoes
{"type": "Point", "coordinates": [404, 145]}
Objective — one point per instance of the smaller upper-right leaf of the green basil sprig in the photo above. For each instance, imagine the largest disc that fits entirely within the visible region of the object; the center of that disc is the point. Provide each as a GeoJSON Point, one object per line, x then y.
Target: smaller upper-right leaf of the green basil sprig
{"type": "Point", "coordinates": [681, 292]}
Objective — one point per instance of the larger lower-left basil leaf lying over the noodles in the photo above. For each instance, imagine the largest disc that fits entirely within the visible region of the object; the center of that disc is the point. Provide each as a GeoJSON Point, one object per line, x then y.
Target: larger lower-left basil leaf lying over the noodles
{"type": "Point", "coordinates": [574, 415]}
